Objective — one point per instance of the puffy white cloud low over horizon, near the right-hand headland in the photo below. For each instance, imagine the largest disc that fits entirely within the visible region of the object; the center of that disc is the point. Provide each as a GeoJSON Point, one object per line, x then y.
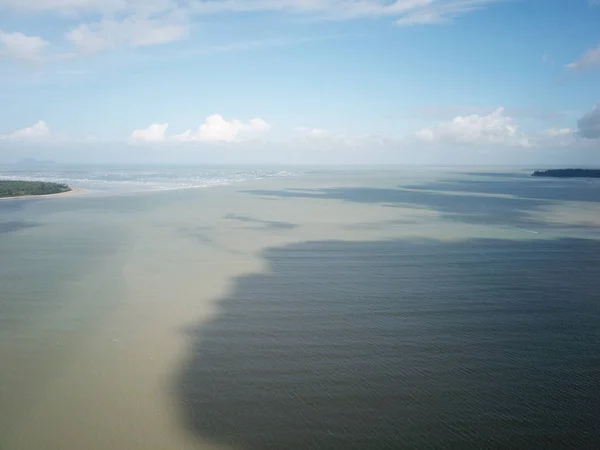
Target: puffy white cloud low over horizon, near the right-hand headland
{"type": "Point", "coordinates": [495, 128]}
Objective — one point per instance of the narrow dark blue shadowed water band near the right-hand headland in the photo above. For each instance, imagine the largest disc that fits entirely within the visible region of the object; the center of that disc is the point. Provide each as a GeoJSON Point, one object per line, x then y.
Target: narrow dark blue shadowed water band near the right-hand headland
{"type": "Point", "coordinates": [485, 199]}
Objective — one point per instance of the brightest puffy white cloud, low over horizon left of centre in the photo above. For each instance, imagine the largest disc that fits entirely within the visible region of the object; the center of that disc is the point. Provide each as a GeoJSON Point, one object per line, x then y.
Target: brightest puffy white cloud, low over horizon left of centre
{"type": "Point", "coordinates": [216, 128]}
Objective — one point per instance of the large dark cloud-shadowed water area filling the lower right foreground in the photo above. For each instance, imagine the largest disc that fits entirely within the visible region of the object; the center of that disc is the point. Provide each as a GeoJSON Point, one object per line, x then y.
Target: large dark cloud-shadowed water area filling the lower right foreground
{"type": "Point", "coordinates": [478, 344]}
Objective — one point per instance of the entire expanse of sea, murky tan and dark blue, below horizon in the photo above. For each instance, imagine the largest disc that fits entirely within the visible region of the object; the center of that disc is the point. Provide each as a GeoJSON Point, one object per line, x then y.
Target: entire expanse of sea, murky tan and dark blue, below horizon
{"type": "Point", "coordinates": [300, 308]}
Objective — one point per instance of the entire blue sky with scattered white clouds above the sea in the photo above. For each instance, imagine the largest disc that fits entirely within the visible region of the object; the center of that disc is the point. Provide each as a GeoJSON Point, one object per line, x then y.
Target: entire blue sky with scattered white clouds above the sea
{"type": "Point", "coordinates": [478, 82]}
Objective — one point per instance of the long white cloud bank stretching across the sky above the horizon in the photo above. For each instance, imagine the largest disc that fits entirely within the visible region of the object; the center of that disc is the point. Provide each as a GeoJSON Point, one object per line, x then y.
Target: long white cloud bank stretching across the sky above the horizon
{"type": "Point", "coordinates": [487, 138]}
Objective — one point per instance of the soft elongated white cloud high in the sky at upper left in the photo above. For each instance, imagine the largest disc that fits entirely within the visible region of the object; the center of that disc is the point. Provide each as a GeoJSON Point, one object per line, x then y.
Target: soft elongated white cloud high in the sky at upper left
{"type": "Point", "coordinates": [131, 32]}
